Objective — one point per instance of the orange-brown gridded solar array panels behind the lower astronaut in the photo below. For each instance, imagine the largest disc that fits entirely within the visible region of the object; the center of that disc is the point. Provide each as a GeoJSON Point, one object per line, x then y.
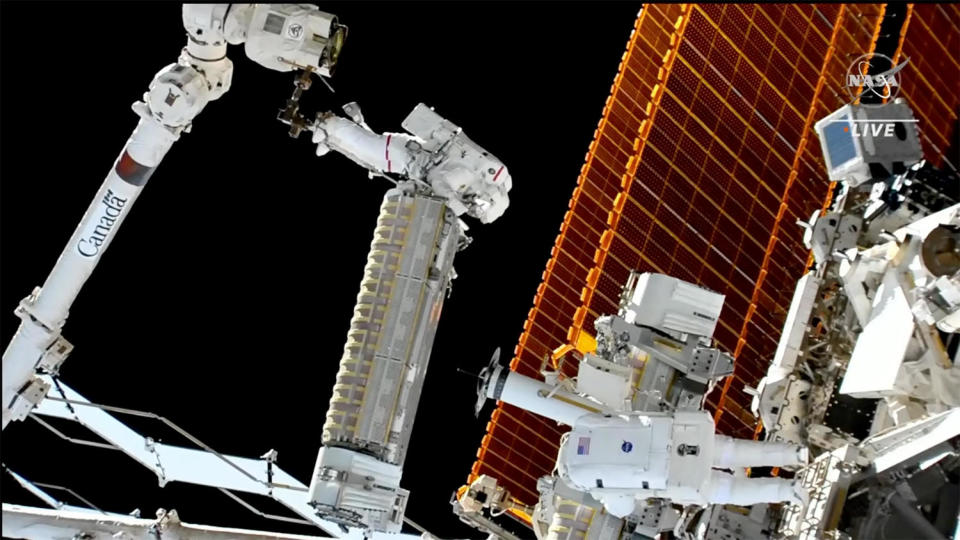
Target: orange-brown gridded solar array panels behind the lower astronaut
{"type": "Point", "coordinates": [701, 166]}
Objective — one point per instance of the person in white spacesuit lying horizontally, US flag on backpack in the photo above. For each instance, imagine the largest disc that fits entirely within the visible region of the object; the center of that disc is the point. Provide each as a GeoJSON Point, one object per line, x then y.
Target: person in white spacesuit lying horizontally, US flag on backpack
{"type": "Point", "coordinates": [678, 456]}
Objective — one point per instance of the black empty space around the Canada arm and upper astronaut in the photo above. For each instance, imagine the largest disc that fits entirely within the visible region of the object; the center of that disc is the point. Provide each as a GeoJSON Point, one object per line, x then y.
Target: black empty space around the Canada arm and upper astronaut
{"type": "Point", "coordinates": [223, 303]}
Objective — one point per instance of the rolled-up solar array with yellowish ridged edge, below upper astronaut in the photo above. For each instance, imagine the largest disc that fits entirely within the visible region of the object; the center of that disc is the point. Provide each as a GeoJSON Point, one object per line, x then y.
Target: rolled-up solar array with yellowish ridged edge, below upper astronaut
{"type": "Point", "coordinates": [391, 334]}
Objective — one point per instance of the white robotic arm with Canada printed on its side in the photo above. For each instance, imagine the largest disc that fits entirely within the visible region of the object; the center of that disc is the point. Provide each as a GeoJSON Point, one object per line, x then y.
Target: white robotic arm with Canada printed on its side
{"type": "Point", "coordinates": [282, 37]}
